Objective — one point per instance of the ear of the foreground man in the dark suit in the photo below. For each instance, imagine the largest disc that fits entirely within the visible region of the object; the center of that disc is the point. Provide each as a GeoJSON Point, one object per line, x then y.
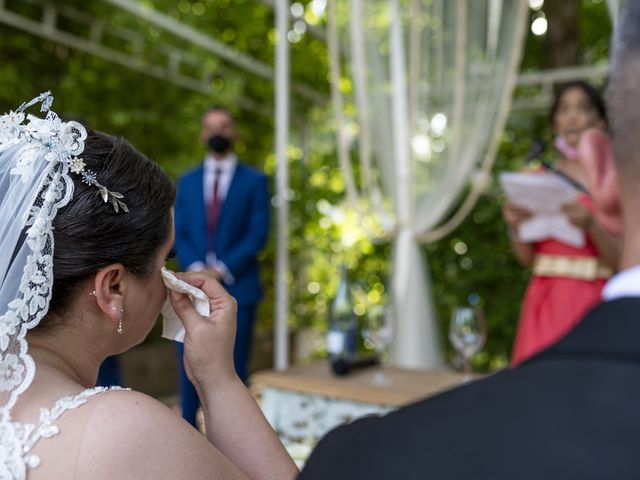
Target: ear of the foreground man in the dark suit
{"type": "Point", "coordinates": [596, 157]}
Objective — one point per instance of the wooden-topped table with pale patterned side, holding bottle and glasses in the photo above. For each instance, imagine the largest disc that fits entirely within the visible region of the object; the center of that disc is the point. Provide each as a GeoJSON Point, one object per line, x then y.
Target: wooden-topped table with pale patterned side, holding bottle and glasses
{"type": "Point", "coordinates": [305, 402]}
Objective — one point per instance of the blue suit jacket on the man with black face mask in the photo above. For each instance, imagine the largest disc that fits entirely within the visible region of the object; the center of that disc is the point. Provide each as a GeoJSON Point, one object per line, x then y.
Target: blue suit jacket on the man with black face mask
{"type": "Point", "coordinates": [241, 231]}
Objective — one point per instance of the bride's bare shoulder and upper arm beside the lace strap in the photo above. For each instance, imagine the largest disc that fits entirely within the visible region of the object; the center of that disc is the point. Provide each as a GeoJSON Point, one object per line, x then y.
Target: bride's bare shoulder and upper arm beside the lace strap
{"type": "Point", "coordinates": [132, 435]}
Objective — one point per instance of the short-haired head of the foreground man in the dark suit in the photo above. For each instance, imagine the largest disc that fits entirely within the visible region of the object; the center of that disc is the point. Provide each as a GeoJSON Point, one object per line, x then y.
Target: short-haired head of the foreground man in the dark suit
{"type": "Point", "coordinates": [613, 162]}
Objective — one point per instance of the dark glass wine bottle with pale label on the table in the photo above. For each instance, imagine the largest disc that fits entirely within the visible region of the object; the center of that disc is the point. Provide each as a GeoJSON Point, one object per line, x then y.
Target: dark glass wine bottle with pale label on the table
{"type": "Point", "coordinates": [343, 328]}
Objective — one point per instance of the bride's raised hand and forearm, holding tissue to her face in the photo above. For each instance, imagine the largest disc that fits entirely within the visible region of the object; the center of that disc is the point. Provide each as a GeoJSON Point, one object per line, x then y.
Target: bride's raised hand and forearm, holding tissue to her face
{"type": "Point", "coordinates": [234, 423]}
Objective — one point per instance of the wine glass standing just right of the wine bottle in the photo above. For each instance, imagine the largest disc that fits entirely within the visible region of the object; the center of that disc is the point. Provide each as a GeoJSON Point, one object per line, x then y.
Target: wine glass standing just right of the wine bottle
{"type": "Point", "coordinates": [378, 333]}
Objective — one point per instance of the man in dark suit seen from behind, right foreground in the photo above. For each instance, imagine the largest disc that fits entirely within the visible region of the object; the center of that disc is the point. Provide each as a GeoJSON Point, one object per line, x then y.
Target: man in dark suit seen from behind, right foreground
{"type": "Point", "coordinates": [573, 411]}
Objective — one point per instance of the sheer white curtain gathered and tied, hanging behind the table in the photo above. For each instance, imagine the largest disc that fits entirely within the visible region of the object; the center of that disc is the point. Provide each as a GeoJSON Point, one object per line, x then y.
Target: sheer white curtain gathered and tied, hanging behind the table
{"type": "Point", "coordinates": [432, 83]}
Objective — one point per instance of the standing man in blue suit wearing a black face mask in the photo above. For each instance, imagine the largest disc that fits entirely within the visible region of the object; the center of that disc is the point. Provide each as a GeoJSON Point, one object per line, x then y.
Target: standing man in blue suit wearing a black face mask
{"type": "Point", "coordinates": [222, 220]}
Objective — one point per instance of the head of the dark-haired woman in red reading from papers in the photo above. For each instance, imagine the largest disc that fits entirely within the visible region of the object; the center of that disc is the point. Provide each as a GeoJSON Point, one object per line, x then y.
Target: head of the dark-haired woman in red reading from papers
{"type": "Point", "coordinates": [577, 107]}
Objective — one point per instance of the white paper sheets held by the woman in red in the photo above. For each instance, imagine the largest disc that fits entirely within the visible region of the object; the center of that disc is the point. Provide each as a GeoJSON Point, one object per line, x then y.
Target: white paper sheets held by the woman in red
{"type": "Point", "coordinates": [543, 195]}
